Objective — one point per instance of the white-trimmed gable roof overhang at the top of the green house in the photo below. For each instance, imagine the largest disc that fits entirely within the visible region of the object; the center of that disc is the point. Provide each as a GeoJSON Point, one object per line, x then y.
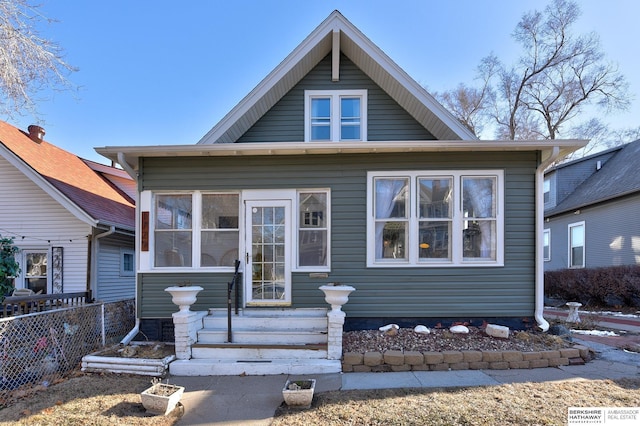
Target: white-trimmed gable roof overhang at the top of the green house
{"type": "Point", "coordinates": [361, 51]}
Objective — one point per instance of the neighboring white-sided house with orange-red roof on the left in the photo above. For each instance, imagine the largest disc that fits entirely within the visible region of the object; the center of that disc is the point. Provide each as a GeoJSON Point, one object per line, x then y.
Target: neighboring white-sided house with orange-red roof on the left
{"type": "Point", "coordinates": [72, 219]}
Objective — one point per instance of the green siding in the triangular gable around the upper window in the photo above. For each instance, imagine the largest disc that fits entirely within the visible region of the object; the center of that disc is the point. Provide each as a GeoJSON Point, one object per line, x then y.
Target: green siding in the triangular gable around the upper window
{"type": "Point", "coordinates": [284, 122]}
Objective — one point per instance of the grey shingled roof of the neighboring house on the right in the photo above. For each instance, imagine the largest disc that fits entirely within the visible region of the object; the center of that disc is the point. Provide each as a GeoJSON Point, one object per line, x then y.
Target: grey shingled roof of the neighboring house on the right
{"type": "Point", "coordinates": [618, 177]}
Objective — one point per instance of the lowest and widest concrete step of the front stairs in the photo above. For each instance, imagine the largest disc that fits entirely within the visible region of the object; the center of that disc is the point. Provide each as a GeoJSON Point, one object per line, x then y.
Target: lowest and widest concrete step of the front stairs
{"type": "Point", "coordinates": [210, 367]}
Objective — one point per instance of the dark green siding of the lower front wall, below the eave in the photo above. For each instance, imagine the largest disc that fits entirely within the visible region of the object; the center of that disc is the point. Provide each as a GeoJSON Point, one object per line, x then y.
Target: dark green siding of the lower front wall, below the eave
{"type": "Point", "coordinates": [380, 292]}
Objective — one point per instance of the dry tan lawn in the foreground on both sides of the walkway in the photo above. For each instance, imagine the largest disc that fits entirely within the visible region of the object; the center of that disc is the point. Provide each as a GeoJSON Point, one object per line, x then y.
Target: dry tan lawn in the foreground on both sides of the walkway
{"type": "Point", "coordinates": [93, 399]}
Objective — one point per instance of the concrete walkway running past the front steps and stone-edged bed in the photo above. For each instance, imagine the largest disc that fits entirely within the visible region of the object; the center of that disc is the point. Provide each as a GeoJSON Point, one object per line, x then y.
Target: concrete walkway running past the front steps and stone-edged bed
{"type": "Point", "coordinates": [253, 400]}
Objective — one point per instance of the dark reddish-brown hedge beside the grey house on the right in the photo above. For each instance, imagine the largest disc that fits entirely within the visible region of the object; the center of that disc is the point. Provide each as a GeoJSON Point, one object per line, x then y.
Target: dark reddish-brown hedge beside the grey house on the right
{"type": "Point", "coordinates": [613, 286]}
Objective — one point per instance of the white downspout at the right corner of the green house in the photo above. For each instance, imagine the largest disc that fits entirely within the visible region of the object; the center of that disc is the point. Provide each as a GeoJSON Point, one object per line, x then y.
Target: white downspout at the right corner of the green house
{"type": "Point", "coordinates": [539, 293]}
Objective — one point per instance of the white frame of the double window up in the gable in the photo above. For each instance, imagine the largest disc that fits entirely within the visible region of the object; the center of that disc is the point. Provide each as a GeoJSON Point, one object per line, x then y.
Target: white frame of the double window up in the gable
{"type": "Point", "coordinates": [335, 115]}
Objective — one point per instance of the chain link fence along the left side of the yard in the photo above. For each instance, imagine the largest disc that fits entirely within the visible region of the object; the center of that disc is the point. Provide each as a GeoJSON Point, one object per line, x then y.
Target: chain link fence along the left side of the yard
{"type": "Point", "coordinates": [41, 348]}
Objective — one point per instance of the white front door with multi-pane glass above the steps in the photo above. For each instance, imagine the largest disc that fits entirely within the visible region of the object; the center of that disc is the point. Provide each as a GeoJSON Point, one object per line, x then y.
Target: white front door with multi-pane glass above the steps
{"type": "Point", "coordinates": [268, 259]}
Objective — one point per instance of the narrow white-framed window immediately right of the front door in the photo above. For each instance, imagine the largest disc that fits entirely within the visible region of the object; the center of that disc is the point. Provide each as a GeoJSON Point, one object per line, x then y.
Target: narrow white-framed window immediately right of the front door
{"type": "Point", "coordinates": [313, 235]}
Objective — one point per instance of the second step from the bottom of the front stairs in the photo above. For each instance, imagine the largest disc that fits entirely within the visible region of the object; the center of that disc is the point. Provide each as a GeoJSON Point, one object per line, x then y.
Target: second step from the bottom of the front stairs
{"type": "Point", "coordinates": [253, 352]}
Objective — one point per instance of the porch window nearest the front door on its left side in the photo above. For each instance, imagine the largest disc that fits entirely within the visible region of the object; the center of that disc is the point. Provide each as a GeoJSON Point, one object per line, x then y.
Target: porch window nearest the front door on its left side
{"type": "Point", "coordinates": [219, 229]}
